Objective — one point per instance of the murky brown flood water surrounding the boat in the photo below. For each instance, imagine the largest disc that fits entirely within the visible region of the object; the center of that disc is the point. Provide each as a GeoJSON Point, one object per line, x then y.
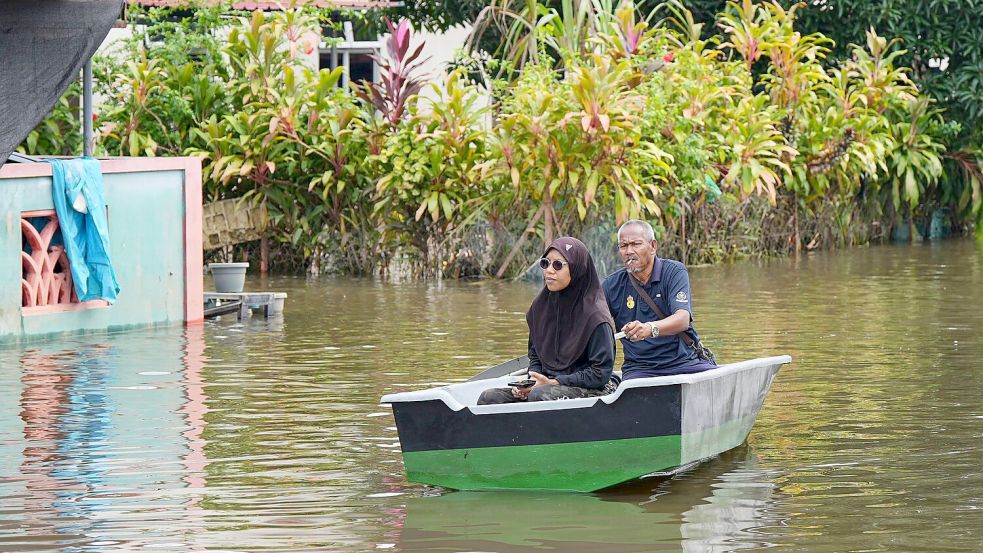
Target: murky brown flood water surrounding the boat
{"type": "Point", "coordinates": [268, 435]}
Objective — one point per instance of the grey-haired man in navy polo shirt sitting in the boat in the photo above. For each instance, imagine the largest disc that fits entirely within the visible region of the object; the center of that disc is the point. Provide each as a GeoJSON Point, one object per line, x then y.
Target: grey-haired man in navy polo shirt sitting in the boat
{"type": "Point", "coordinates": [658, 341]}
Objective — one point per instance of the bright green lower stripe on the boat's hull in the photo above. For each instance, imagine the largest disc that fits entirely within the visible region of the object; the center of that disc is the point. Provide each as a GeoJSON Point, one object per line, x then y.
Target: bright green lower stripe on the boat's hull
{"type": "Point", "coordinates": [579, 466]}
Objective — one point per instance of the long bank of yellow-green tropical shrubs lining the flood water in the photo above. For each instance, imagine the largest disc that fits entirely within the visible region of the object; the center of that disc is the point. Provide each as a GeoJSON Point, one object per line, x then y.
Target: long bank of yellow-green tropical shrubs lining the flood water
{"type": "Point", "coordinates": [753, 141]}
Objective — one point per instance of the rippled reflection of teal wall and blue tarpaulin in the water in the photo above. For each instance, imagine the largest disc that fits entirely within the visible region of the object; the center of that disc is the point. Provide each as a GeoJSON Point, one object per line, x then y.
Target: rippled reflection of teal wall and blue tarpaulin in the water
{"type": "Point", "coordinates": [105, 428]}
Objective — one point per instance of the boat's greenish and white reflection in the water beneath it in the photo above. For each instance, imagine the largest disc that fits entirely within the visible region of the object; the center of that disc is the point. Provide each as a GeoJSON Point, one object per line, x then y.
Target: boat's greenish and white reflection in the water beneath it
{"type": "Point", "coordinates": [712, 507]}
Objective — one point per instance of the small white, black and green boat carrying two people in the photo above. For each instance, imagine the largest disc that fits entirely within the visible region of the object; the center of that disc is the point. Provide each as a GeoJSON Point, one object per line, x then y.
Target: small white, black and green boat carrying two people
{"type": "Point", "coordinates": [648, 426]}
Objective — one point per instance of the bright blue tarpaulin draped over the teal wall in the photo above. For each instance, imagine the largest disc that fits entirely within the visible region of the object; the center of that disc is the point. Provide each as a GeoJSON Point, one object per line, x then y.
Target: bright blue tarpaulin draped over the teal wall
{"type": "Point", "coordinates": [76, 189]}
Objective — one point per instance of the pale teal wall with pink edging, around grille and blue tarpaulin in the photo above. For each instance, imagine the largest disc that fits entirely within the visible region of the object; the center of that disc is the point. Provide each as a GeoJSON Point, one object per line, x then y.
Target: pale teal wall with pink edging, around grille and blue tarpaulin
{"type": "Point", "coordinates": [146, 230]}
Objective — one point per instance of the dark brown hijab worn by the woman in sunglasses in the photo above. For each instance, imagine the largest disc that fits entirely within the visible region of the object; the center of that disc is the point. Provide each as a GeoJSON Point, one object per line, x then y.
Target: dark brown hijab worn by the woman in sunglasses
{"type": "Point", "coordinates": [561, 323]}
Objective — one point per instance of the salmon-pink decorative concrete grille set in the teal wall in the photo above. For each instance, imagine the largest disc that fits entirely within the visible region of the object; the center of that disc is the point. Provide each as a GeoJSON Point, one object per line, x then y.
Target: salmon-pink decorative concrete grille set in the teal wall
{"type": "Point", "coordinates": [47, 275]}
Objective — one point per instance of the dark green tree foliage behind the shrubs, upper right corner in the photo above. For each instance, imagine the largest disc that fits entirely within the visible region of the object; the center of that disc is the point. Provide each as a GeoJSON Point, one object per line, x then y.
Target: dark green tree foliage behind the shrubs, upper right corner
{"type": "Point", "coordinates": [942, 55]}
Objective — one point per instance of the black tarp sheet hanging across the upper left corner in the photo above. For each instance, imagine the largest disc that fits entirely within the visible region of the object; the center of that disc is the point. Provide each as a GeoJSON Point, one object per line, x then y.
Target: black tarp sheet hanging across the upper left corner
{"type": "Point", "coordinates": [43, 46]}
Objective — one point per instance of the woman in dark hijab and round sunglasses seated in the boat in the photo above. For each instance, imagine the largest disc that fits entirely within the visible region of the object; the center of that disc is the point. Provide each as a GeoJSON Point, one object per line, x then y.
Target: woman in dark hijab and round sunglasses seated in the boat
{"type": "Point", "coordinates": [571, 335]}
